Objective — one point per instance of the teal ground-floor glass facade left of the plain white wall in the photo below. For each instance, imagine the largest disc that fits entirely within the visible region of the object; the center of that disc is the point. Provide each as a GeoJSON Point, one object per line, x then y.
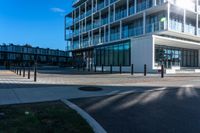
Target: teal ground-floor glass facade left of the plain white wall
{"type": "Point", "coordinates": [116, 55]}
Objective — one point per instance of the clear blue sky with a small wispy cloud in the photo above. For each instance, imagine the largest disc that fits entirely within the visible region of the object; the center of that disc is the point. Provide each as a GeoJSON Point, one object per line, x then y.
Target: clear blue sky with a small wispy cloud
{"type": "Point", "coordinates": [35, 22]}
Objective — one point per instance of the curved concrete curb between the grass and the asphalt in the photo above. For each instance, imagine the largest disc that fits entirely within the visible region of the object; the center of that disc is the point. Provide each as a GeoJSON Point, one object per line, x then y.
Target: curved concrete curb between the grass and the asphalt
{"type": "Point", "coordinates": [97, 128]}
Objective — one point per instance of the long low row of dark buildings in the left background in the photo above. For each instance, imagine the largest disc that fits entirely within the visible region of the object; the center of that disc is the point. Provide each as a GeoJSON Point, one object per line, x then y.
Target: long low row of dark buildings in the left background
{"type": "Point", "coordinates": [26, 55]}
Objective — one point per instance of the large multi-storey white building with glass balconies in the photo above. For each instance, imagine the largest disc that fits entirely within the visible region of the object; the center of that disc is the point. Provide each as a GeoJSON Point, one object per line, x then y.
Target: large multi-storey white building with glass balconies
{"type": "Point", "coordinates": [125, 32]}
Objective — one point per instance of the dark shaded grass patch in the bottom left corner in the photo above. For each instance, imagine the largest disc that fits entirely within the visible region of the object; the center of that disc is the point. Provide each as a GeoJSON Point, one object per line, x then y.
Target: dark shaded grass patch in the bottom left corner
{"type": "Point", "coordinates": [49, 117]}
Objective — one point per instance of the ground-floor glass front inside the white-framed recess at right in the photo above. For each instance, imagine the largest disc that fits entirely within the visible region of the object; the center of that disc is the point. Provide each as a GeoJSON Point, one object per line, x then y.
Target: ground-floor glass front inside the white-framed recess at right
{"type": "Point", "coordinates": [172, 56]}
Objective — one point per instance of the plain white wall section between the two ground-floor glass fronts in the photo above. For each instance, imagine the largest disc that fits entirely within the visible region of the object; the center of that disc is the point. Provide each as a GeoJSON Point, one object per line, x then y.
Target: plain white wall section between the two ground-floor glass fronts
{"type": "Point", "coordinates": [142, 52]}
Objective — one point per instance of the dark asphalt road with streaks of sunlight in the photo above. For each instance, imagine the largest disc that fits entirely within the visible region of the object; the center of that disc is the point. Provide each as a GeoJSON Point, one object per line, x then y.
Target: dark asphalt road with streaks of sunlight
{"type": "Point", "coordinates": [169, 111]}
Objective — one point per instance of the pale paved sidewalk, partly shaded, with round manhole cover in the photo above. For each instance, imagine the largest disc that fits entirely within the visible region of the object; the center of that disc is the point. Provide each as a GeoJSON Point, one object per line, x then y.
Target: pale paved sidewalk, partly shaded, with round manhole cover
{"type": "Point", "coordinates": [16, 89]}
